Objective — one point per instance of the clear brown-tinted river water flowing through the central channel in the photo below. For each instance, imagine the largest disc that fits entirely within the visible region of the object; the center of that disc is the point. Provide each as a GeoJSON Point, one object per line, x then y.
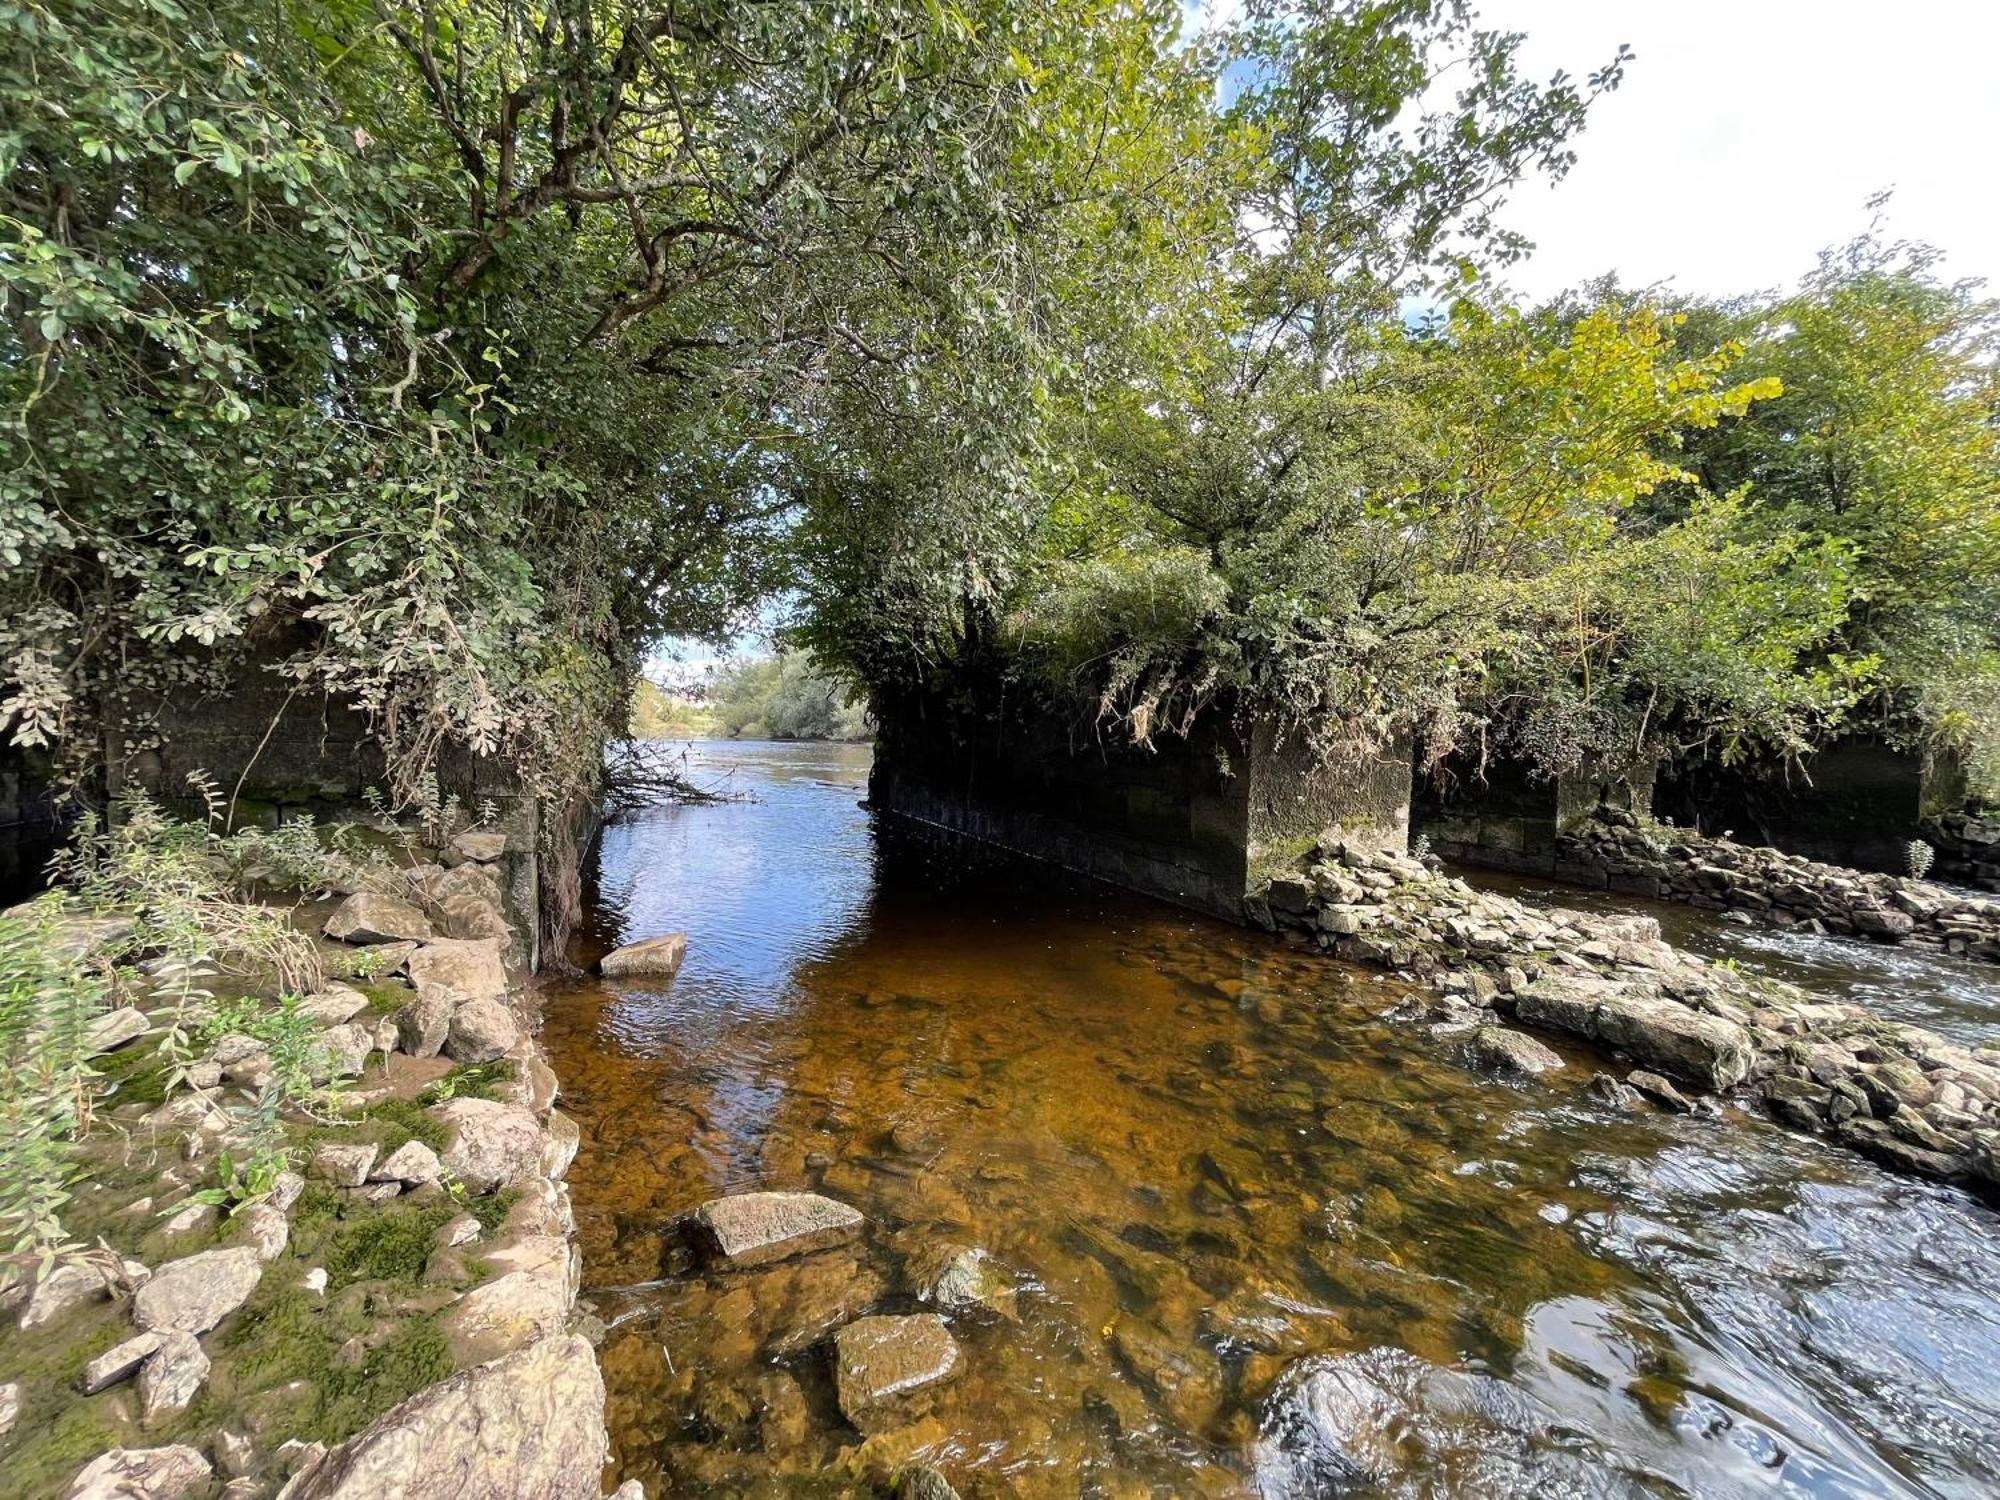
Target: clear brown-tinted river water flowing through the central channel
{"type": "Point", "coordinates": [1223, 1187]}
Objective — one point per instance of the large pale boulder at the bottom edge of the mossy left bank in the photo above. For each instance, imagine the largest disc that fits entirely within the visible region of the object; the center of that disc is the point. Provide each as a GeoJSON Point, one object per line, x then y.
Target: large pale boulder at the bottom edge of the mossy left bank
{"type": "Point", "coordinates": [527, 1427]}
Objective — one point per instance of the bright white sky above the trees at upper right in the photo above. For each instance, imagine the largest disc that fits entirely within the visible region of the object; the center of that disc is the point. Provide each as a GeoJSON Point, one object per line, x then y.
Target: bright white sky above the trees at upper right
{"type": "Point", "coordinates": [1749, 135]}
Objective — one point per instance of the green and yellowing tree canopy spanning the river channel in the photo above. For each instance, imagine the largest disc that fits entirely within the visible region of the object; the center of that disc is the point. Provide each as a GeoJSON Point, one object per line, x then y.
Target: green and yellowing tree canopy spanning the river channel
{"type": "Point", "coordinates": [453, 353]}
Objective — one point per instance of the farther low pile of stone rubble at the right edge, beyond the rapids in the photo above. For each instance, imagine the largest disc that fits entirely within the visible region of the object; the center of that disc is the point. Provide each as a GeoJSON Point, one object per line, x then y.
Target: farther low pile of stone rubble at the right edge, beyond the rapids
{"type": "Point", "coordinates": [1619, 853]}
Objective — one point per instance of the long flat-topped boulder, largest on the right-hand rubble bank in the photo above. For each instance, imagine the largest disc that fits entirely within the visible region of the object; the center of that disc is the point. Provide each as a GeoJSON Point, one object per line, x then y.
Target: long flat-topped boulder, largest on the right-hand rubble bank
{"type": "Point", "coordinates": [1665, 1035]}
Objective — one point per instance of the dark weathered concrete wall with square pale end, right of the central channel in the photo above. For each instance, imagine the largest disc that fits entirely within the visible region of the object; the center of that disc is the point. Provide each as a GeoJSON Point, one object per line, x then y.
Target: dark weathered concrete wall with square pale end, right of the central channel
{"type": "Point", "coordinates": [1193, 819]}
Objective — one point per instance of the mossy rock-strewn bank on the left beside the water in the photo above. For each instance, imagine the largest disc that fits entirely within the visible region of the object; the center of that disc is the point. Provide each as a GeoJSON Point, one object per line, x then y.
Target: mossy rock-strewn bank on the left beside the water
{"type": "Point", "coordinates": [391, 1313]}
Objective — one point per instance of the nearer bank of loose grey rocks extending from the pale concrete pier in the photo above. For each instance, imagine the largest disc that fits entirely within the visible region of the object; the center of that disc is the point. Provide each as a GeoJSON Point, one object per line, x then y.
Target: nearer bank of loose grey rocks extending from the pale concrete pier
{"type": "Point", "coordinates": [1899, 1093]}
